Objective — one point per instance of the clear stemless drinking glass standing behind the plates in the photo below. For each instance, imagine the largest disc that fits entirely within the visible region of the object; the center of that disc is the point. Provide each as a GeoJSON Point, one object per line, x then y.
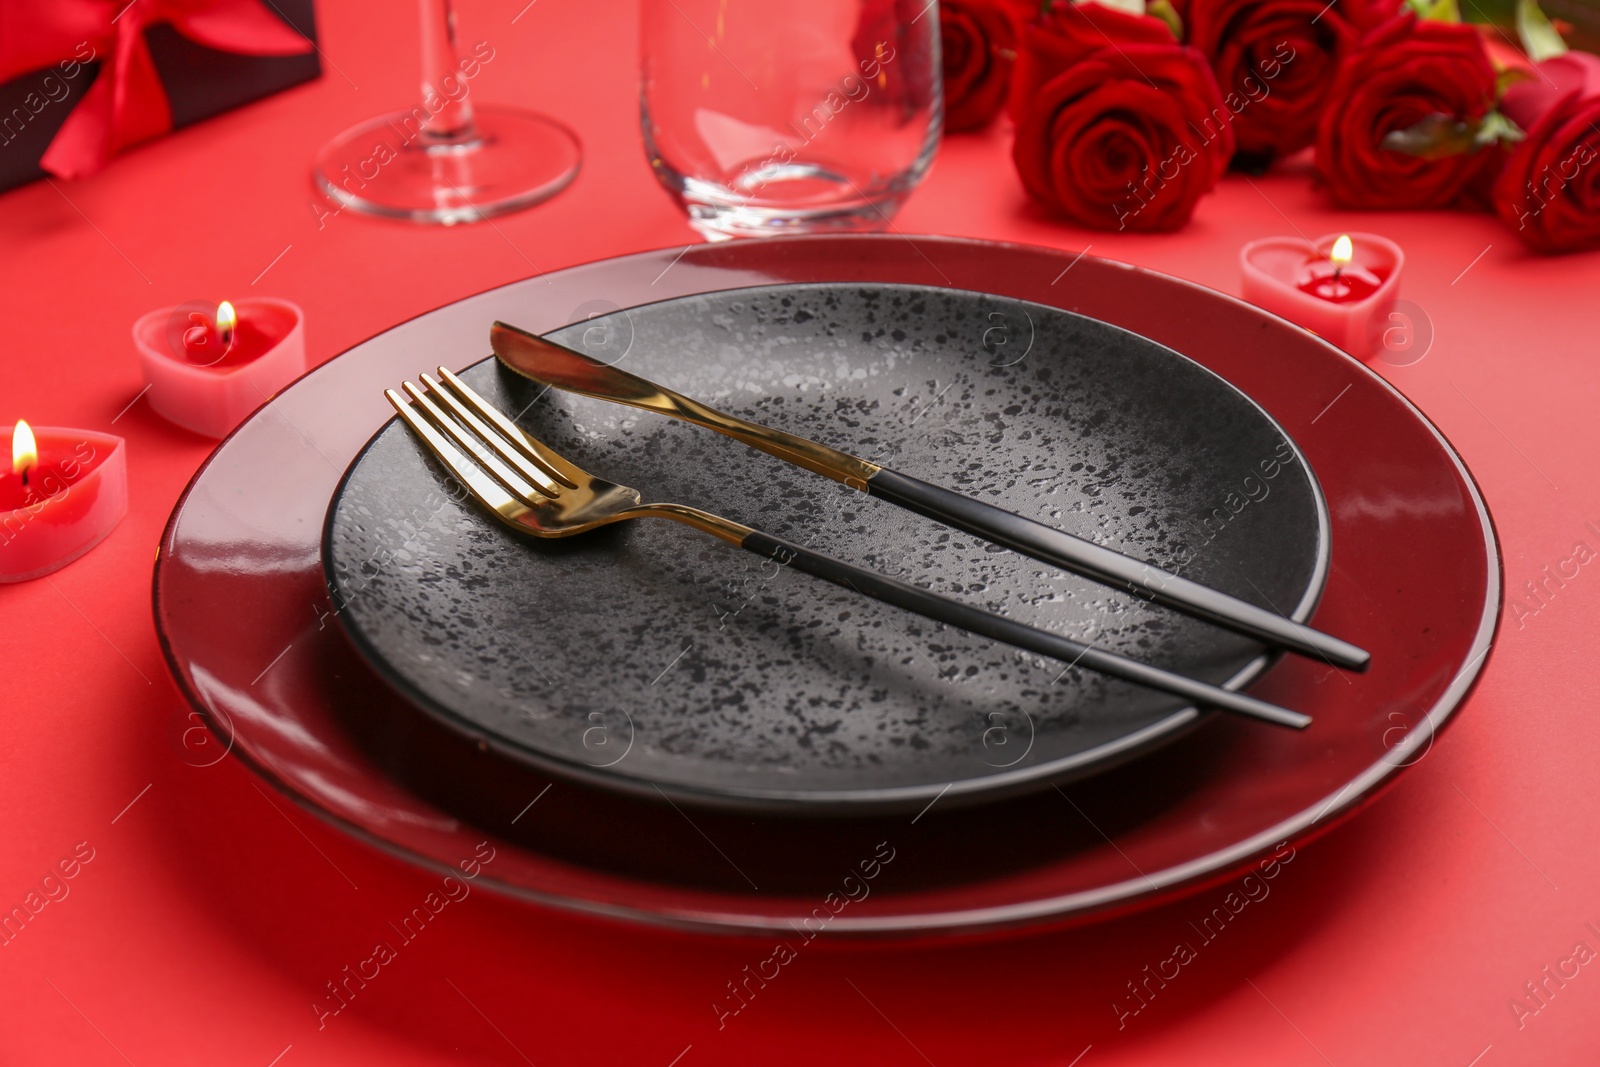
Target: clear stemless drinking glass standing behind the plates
{"type": "Point", "coordinates": [791, 116]}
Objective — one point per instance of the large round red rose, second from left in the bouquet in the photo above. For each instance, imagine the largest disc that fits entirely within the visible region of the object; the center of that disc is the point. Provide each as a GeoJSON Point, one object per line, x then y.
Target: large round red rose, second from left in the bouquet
{"type": "Point", "coordinates": [1119, 127]}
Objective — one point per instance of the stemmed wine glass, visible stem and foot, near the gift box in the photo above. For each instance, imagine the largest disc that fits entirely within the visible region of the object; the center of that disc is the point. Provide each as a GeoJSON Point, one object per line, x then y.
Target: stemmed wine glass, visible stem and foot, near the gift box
{"type": "Point", "coordinates": [449, 161]}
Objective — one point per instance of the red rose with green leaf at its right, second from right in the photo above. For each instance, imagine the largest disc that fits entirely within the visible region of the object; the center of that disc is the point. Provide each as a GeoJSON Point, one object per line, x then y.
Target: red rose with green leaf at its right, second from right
{"type": "Point", "coordinates": [1404, 73]}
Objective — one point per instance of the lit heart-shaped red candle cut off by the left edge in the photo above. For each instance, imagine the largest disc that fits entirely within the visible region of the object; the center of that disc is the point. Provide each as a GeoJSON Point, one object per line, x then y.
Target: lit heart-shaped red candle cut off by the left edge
{"type": "Point", "coordinates": [74, 494]}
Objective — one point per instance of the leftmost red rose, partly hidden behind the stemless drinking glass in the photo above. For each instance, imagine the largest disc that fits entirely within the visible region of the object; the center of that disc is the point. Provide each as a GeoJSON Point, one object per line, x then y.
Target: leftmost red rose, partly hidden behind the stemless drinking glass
{"type": "Point", "coordinates": [978, 42]}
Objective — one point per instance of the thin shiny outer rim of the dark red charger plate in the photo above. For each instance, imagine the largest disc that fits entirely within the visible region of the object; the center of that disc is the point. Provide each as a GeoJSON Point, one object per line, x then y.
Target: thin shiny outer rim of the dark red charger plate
{"type": "Point", "coordinates": [1214, 868]}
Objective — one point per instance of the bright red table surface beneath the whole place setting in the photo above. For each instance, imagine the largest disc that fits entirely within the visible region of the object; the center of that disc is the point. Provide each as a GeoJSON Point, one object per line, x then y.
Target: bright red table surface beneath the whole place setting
{"type": "Point", "coordinates": [214, 913]}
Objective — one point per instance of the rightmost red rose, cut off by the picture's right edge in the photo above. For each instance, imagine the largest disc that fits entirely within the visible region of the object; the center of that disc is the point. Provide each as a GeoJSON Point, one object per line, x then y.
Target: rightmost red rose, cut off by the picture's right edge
{"type": "Point", "coordinates": [1550, 191]}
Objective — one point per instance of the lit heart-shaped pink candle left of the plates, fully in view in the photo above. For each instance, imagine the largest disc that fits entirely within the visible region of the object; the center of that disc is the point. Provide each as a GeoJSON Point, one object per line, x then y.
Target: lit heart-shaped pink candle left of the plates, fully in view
{"type": "Point", "coordinates": [207, 369]}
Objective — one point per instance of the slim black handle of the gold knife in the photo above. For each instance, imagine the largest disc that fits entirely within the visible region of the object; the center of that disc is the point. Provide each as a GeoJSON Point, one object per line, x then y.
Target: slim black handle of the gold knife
{"type": "Point", "coordinates": [1111, 569]}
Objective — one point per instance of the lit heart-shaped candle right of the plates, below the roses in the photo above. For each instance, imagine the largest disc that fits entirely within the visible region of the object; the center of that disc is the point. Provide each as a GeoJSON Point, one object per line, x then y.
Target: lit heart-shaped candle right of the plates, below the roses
{"type": "Point", "coordinates": [1340, 287]}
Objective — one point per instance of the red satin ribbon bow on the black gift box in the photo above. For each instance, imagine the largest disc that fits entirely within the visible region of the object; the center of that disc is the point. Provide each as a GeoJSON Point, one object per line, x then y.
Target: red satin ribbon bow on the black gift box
{"type": "Point", "coordinates": [127, 103]}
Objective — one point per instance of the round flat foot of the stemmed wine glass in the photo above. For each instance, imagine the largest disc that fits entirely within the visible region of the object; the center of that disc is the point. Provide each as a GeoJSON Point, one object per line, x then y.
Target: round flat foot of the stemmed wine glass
{"type": "Point", "coordinates": [393, 167]}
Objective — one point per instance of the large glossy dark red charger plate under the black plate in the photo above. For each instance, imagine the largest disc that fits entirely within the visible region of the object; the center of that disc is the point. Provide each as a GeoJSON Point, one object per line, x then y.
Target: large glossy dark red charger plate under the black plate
{"type": "Point", "coordinates": [249, 633]}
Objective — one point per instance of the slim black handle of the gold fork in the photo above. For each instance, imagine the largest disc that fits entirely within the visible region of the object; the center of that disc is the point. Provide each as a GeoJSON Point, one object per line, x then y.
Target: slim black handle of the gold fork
{"type": "Point", "coordinates": [1009, 631]}
